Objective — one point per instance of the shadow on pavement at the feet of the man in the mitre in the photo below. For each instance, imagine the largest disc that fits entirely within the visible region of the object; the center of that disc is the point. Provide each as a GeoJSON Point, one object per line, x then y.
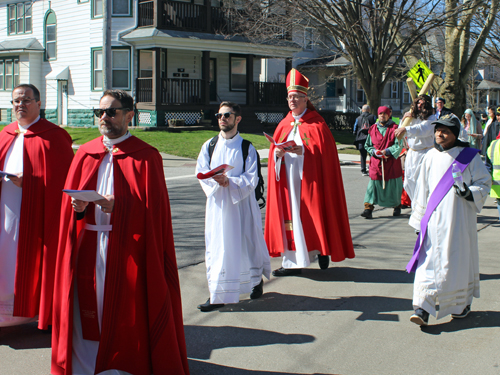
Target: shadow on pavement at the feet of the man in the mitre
{"type": "Point", "coordinates": [359, 275]}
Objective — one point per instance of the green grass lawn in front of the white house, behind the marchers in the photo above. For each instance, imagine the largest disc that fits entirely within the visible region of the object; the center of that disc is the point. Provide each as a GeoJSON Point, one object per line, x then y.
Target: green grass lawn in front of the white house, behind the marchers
{"type": "Point", "coordinates": [186, 143]}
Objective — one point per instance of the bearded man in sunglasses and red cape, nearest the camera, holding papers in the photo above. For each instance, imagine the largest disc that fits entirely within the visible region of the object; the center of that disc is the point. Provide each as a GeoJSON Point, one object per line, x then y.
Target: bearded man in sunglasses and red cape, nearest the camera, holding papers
{"type": "Point", "coordinates": [117, 303]}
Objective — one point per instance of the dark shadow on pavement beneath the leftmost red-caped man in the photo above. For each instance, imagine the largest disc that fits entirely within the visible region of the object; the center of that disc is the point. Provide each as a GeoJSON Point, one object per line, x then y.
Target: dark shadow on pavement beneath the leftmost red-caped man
{"type": "Point", "coordinates": [26, 336]}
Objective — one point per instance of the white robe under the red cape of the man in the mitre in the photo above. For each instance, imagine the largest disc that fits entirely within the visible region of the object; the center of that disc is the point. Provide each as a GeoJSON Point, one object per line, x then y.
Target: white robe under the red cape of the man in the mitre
{"type": "Point", "coordinates": [294, 164]}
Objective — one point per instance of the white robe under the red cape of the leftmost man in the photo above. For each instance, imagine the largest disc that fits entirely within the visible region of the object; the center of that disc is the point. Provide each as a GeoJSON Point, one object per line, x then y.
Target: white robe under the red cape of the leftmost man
{"type": "Point", "coordinates": [10, 214]}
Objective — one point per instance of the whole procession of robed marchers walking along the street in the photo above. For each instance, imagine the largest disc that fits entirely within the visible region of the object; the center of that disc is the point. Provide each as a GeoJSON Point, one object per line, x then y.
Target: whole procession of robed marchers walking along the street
{"type": "Point", "coordinates": [88, 267]}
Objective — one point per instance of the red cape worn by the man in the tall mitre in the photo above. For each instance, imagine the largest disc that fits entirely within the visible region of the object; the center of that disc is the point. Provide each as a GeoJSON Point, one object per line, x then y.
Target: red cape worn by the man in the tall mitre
{"type": "Point", "coordinates": [323, 209]}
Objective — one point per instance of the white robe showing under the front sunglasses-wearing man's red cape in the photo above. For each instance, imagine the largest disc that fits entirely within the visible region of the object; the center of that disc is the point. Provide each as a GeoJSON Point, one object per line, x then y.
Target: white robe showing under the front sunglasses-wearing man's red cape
{"type": "Point", "coordinates": [85, 351]}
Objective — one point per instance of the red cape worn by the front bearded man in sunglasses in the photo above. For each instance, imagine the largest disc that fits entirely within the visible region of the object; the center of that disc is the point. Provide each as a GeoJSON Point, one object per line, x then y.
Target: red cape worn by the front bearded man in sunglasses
{"type": "Point", "coordinates": [142, 329]}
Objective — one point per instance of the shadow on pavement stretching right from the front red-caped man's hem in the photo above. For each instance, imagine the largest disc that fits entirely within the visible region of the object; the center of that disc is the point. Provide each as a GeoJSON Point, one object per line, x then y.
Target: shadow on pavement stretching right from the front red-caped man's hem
{"type": "Point", "coordinates": [201, 340]}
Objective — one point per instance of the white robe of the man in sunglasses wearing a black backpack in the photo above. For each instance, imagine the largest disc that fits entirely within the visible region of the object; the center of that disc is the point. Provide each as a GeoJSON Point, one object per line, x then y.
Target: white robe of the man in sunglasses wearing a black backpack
{"type": "Point", "coordinates": [236, 254]}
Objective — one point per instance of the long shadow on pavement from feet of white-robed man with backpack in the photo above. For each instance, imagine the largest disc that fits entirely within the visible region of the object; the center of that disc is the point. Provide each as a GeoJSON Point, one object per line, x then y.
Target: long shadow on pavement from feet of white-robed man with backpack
{"type": "Point", "coordinates": [371, 307]}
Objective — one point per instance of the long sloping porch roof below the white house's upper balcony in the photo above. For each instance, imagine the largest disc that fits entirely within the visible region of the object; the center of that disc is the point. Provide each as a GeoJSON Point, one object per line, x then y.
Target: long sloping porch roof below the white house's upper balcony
{"type": "Point", "coordinates": [150, 37]}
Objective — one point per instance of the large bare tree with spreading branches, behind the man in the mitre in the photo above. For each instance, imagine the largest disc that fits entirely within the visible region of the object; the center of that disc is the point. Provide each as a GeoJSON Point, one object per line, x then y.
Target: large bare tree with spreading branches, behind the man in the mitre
{"type": "Point", "coordinates": [374, 35]}
